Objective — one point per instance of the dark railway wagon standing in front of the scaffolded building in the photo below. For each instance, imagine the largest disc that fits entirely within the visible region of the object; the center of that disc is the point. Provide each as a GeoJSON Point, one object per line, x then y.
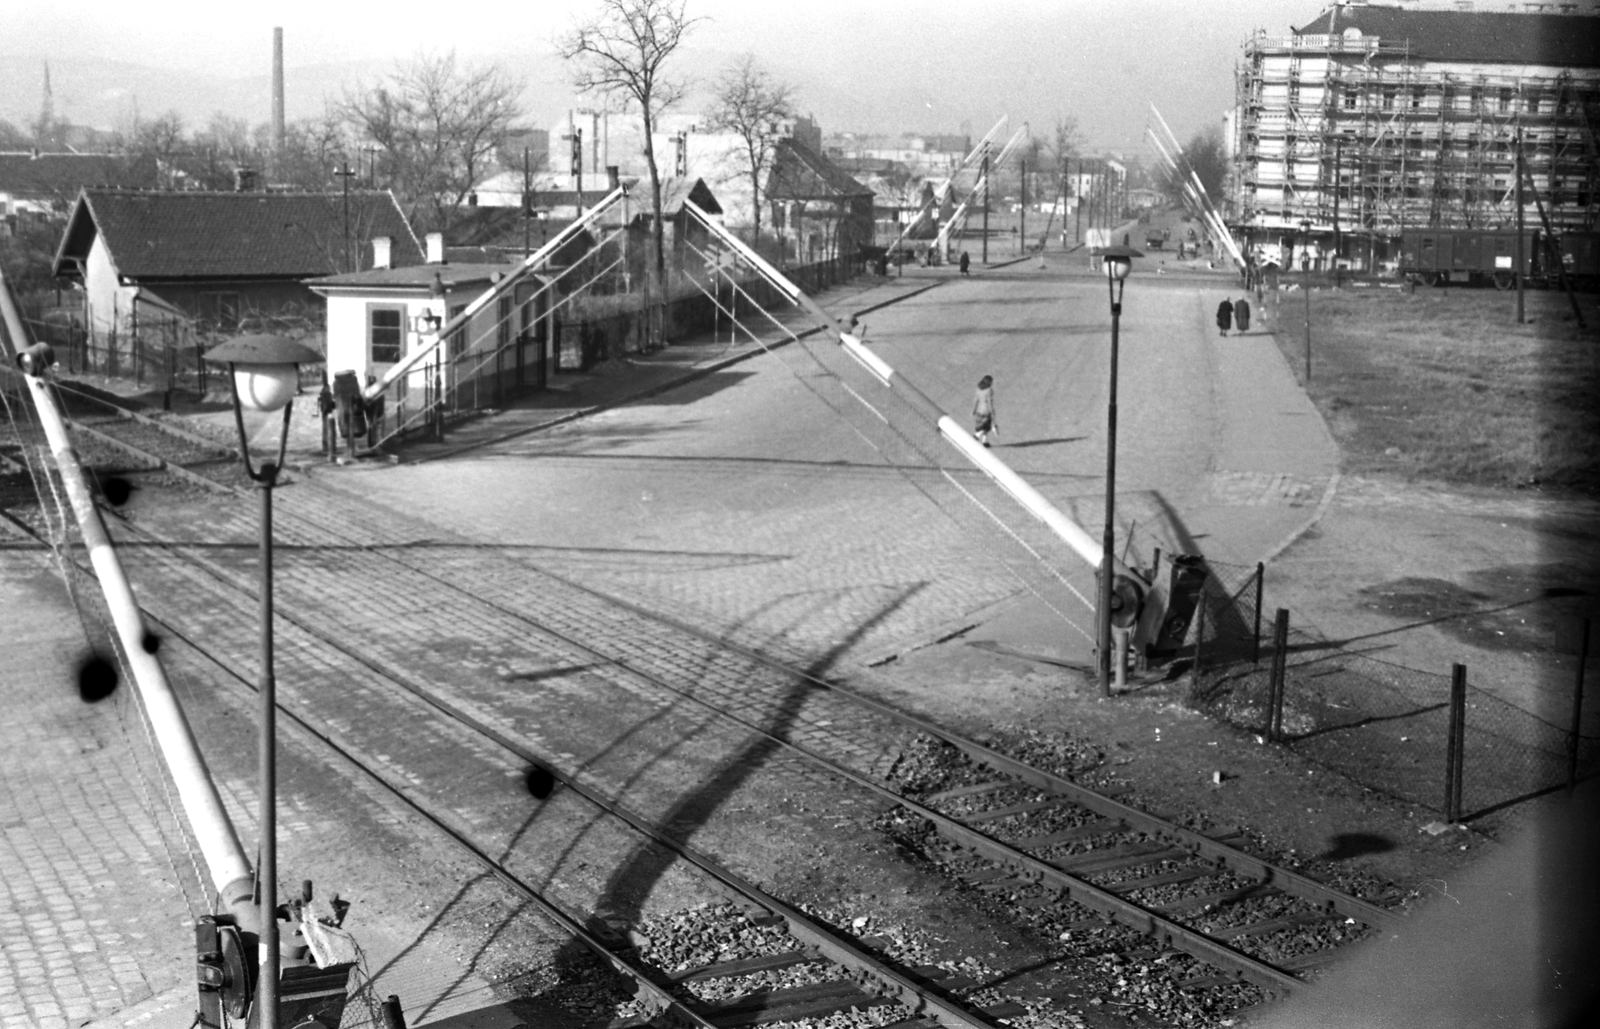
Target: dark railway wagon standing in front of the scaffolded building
{"type": "Point", "coordinates": [1471, 257]}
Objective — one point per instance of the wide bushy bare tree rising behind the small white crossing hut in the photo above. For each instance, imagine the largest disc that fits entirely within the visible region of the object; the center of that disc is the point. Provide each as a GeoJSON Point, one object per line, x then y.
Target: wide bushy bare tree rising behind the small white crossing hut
{"type": "Point", "coordinates": [439, 127]}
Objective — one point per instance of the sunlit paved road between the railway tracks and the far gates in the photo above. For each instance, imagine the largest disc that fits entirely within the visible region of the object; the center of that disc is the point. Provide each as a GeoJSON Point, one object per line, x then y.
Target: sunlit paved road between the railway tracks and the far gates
{"type": "Point", "coordinates": [748, 498]}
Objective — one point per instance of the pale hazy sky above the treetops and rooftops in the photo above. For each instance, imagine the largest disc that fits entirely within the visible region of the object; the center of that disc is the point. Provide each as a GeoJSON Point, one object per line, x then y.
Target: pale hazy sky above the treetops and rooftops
{"type": "Point", "coordinates": [860, 66]}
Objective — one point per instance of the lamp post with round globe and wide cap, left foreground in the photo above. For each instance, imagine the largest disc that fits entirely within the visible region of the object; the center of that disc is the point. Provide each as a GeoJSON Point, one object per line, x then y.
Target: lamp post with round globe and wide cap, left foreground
{"type": "Point", "coordinates": [265, 377]}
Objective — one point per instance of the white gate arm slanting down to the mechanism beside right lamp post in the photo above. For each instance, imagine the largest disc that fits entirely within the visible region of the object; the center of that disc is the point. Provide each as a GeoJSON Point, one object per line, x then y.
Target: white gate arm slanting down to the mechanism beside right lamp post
{"type": "Point", "coordinates": [1060, 526]}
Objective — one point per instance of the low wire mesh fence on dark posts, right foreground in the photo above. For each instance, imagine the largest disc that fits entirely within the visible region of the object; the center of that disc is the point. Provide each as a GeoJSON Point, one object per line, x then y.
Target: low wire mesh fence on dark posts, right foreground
{"type": "Point", "coordinates": [1390, 727]}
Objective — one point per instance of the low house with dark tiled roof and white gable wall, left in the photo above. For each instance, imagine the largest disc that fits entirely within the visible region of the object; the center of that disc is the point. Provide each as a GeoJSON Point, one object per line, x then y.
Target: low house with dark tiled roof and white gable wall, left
{"type": "Point", "coordinates": [226, 260]}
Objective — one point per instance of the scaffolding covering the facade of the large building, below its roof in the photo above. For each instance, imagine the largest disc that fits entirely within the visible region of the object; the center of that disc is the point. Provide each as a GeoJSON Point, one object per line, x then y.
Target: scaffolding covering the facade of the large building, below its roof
{"type": "Point", "coordinates": [1362, 140]}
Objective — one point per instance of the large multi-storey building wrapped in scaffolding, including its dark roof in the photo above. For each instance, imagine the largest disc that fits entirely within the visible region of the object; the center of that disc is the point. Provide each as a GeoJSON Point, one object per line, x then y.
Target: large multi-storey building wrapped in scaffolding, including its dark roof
{"type": "Point", "coordinates": [1374, 121]}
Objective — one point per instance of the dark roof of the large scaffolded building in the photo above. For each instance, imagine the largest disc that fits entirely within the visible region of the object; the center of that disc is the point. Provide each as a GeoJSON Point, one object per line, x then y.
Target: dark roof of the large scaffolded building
{"type": "Point", "coordinates": [1562, 41]}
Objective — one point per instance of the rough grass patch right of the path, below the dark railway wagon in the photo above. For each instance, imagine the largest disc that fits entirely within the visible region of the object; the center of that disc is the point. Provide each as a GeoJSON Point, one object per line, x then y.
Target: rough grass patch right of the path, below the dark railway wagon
{"type": "Point", "coordinates": [1446, 386]}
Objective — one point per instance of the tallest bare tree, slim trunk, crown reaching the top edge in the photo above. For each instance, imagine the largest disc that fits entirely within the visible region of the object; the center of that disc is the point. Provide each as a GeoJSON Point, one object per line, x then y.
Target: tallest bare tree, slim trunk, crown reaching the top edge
{"type": "Point", "coordinates": [620, 54]}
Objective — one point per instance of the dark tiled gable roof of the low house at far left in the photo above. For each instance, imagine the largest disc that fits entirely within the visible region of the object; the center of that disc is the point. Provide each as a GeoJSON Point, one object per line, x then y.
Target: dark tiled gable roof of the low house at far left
{"type": "Point", "coordinates": [177, 236]}
